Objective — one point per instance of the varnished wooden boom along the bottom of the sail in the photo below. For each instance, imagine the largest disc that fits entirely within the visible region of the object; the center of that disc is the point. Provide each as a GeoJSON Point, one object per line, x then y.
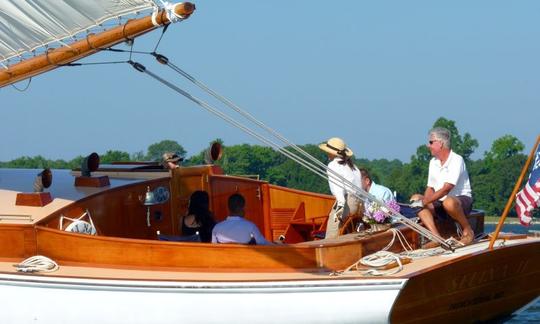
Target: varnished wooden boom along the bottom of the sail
{"type": "Point", "coordinates": [91, 45]}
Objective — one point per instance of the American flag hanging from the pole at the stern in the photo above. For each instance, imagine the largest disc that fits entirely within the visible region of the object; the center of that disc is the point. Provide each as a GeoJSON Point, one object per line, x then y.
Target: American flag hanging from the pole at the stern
{"type": "Point", "coordinates": [529, 197]}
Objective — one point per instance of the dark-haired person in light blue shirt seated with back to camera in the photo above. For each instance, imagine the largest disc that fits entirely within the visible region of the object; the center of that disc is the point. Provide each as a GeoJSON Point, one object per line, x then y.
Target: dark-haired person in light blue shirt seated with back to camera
{"type": "Point", "coordinates": [236, 229]}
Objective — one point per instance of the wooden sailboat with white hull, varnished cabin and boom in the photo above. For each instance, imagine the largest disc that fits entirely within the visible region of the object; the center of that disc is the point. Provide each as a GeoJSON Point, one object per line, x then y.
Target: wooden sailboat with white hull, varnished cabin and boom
{"type": "Point", "coordinates": [114, 269]}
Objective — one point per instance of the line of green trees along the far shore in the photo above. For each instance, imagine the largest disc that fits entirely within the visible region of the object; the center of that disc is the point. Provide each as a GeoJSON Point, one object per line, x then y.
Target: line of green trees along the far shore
{"type": "Point", "coordinates": [492, 177]}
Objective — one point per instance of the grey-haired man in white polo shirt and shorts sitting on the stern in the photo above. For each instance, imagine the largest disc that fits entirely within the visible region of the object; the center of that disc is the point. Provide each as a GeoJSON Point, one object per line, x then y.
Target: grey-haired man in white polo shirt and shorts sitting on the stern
{"type": "Point", "coordinates": [448, 188]}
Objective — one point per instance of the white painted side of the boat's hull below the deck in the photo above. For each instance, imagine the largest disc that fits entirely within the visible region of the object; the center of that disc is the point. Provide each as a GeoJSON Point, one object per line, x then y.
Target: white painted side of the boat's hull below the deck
{"type": "Point", "coordinates": [39, 299]}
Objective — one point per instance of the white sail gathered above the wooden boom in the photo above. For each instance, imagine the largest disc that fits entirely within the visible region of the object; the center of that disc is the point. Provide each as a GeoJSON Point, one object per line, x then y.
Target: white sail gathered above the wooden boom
{"type": "Point", "coordinates": [26, 25]}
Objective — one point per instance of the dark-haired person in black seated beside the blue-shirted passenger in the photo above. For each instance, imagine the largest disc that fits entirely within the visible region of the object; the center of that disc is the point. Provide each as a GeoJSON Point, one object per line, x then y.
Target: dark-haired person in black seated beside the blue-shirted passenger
{"type": "Point", "coordinates": [199, 218]}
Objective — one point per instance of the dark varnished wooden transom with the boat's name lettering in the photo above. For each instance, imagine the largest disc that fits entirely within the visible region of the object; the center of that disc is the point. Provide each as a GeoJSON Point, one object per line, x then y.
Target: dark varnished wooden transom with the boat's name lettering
{"type": "Point", "coordinates": [478, 287]}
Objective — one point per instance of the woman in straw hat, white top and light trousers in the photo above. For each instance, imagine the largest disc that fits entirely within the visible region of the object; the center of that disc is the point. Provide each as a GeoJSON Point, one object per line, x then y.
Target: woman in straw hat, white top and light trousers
{"type": "Point", "coordinates": [341, 167]}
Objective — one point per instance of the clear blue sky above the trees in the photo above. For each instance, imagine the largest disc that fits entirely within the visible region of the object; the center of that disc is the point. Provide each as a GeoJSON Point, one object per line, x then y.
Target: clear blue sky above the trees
{"type": "Point", "coordinates": [376, 73]}
